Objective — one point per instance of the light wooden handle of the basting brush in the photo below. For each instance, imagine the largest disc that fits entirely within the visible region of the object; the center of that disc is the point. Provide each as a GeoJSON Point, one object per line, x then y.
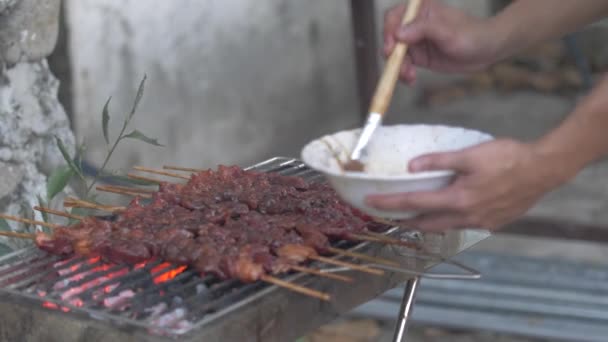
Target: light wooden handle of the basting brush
{"type": "Point", "coordinates": [386, 85]}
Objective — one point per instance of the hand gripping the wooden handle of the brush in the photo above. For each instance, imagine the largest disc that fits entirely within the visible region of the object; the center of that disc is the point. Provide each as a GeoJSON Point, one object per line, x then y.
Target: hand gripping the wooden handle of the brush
{"type": "Point", "coordinates": [441, 38]}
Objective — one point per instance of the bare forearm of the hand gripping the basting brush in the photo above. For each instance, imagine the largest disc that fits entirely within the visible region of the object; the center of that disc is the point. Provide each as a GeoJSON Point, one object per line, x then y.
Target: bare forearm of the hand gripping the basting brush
{"type": "Point", "coordinates": [525, 23]}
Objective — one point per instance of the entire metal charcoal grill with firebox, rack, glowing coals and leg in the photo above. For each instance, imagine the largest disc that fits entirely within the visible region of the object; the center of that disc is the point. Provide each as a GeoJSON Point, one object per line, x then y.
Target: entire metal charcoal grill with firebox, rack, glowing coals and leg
{"type": "Point", "coordinates": [45, 298]}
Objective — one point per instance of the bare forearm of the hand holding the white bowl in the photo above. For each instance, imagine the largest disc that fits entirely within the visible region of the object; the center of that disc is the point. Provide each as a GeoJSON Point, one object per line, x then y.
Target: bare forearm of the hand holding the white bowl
{"type": "Point", "coordinates": [580, 139]}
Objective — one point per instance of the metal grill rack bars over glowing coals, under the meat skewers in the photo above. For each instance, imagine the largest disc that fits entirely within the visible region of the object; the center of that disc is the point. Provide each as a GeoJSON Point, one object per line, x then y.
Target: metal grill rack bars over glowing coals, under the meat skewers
{"type": "Point", "coordinates": [86, 287]}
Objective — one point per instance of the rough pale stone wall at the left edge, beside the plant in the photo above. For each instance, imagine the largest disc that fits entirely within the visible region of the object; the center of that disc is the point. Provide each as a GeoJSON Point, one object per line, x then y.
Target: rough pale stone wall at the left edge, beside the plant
{"type": "Point", "coordinates": [30, 114]}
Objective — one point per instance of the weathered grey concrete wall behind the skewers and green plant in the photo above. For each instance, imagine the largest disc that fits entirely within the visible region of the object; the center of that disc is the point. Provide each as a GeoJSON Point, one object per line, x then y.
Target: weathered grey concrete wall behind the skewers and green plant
{"type": "Point", "coordinates": [228, 81]}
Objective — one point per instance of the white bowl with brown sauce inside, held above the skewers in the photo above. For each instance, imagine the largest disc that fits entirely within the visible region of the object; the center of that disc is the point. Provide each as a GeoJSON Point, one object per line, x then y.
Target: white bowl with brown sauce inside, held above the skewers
{"type": "Point", "coordinates": [386, 164]}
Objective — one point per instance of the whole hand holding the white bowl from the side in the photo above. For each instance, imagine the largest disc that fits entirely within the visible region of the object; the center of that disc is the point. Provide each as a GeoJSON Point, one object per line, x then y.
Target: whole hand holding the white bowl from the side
{"type": "Point", "coordinates": [496, 182]}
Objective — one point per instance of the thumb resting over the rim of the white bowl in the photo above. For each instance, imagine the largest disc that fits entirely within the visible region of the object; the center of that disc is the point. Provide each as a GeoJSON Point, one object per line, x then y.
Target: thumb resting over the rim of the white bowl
{"type": "Point", "coordinates": [455, 161]}
